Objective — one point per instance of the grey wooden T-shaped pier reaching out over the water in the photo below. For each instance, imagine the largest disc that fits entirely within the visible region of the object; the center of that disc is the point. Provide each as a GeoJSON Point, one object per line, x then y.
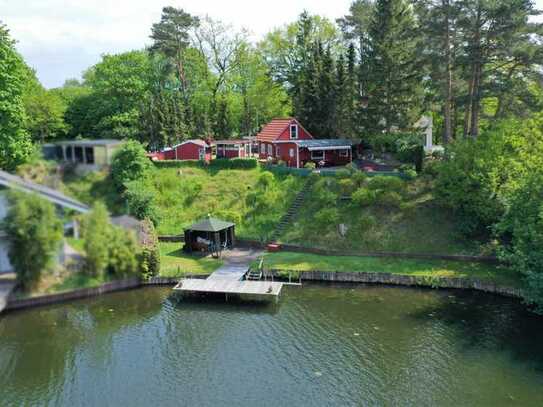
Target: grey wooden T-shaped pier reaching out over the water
{"type": "Point", "coordinates": [229, 279]}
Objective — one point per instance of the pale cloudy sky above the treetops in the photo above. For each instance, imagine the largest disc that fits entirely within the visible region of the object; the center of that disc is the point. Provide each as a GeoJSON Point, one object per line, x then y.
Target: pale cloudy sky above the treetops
{"type": "Point", "coordinates": [61, 38]}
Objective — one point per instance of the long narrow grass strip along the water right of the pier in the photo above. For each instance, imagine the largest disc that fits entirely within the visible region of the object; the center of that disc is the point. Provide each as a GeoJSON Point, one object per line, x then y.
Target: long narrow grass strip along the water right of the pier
{"type": "Point", "coordinates": [424, 268]}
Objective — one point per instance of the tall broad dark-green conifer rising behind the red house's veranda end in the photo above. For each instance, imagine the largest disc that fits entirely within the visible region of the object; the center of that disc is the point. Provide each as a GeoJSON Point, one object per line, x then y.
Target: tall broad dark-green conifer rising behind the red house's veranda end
{"type": "Point", "coordinates": [392, 75]}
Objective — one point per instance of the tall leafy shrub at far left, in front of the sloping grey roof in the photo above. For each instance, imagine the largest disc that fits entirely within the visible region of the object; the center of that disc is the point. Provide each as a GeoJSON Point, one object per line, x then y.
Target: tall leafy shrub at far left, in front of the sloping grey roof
{"type": "Point", "coordinates": [35, 234]}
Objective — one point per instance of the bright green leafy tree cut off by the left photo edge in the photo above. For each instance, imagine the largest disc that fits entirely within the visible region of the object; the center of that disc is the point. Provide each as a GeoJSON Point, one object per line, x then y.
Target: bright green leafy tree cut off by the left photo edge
{"type": "Point", "coordinates": [15, 144]}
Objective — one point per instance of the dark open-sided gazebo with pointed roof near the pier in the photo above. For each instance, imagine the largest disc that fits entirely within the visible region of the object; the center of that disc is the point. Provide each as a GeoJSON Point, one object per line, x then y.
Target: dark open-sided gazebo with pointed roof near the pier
{"type": "Point", "coordinates": [209, 234]}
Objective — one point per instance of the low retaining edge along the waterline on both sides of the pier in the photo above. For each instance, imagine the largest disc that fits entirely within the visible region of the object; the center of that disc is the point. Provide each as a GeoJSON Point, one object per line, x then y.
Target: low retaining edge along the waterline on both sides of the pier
{"type": "Point", "coordinates": [386, 279]}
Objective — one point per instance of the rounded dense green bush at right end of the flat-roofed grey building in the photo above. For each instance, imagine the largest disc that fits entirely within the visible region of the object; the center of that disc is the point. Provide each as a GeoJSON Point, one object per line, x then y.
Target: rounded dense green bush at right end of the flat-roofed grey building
{"type": "Point", "coordinates": [130, 163]}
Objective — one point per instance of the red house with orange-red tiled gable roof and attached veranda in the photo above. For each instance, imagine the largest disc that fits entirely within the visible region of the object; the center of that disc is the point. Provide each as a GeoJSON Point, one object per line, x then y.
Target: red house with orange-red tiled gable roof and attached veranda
{"type": "Point", "coordinates": [287, 140]}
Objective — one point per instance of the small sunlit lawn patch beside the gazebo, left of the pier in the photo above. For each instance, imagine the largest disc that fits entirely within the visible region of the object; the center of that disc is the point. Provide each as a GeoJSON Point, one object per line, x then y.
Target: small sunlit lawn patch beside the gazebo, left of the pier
{"type": "Point", "coordinates": [175, 263]}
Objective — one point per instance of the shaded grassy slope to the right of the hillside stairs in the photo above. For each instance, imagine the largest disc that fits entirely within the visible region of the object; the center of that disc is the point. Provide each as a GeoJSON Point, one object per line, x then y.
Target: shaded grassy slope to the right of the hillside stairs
{"type": "Point", "coordinates": [420, 225]}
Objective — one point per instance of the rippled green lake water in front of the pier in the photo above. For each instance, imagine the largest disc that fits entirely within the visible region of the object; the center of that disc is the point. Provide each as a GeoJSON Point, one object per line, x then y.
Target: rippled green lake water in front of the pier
{"type": "Point", "coordinates": [320, 346]}
